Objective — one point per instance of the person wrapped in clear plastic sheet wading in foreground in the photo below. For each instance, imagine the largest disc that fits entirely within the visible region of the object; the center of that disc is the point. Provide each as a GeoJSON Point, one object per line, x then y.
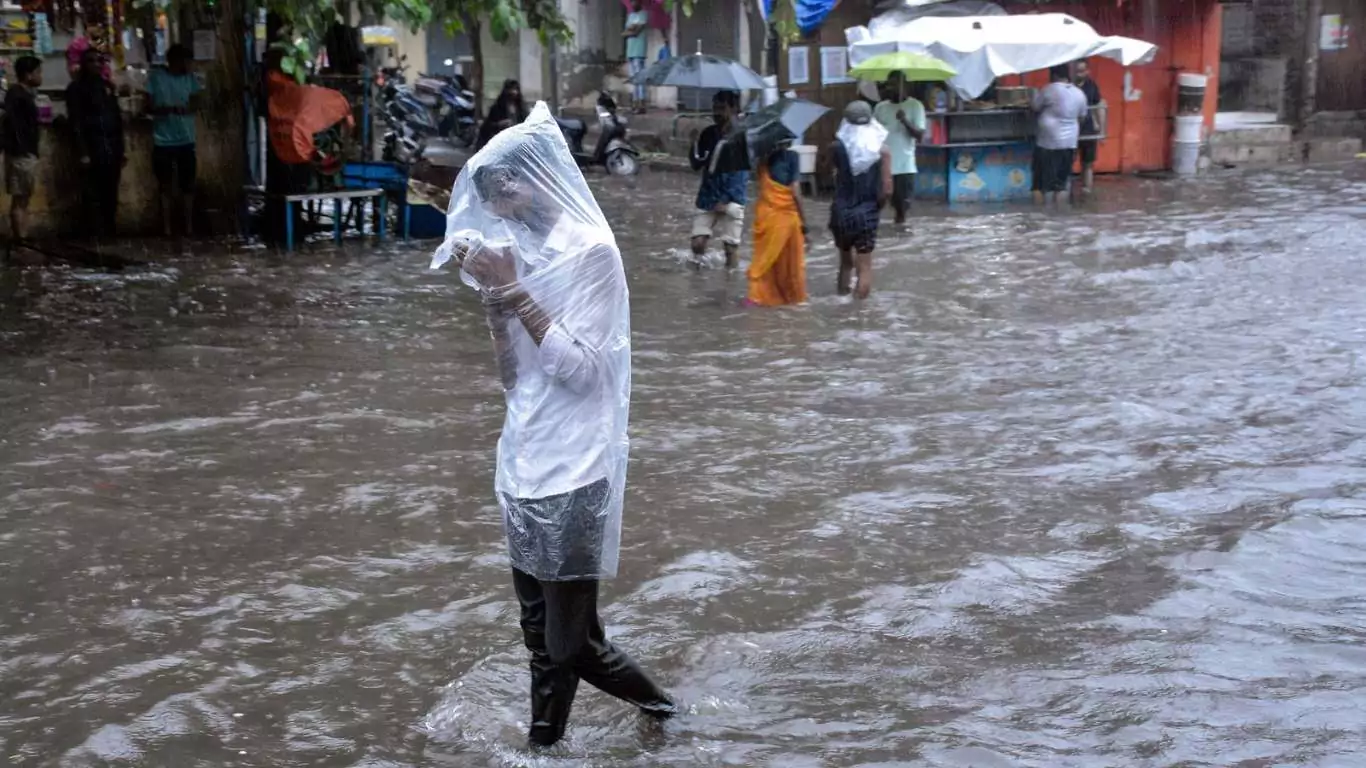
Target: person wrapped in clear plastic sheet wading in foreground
{"type": "Point", "coordinates": [528, 234]}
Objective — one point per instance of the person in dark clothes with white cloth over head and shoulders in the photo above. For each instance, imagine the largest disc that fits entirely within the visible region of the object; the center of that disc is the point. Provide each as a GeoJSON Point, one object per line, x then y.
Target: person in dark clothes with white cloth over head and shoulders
{"type": "Point", "coordinates": [863, 185]}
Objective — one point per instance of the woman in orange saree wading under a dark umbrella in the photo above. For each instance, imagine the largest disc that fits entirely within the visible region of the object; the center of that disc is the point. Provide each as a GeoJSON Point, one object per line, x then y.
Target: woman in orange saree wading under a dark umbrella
{"type": "Point", "coordinates": [778, 270]}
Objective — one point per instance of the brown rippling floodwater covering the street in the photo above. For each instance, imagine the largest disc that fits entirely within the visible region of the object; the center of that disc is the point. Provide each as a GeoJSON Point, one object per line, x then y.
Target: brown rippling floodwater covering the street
{"type": "Point", "coordinates": [1072, 490]}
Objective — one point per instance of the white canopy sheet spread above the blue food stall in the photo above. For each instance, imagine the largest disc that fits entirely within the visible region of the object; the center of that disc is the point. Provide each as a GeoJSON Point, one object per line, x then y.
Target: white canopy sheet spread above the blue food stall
{"type": "Point", "coordinates": [984, 49]}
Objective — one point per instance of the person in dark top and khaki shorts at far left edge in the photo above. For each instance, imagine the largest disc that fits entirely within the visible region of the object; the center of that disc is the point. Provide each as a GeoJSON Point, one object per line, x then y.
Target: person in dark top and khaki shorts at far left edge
{"type": "Point", "coordinates": [21, 143]}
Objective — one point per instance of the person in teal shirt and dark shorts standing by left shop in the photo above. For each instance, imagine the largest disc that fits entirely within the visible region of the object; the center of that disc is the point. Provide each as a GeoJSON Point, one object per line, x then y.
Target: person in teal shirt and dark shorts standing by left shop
{"type": "Point", "coordinates": [170, 102]}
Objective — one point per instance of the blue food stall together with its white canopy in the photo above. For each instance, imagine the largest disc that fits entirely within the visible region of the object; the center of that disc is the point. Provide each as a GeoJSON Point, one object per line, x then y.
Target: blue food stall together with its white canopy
{"type": "Point", "coordinates": [980, 140]}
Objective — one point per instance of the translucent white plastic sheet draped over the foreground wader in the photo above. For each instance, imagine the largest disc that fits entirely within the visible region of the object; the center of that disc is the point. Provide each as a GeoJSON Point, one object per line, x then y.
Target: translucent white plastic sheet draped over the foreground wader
{"type": "Point", "coordinates": [524, 197]}
